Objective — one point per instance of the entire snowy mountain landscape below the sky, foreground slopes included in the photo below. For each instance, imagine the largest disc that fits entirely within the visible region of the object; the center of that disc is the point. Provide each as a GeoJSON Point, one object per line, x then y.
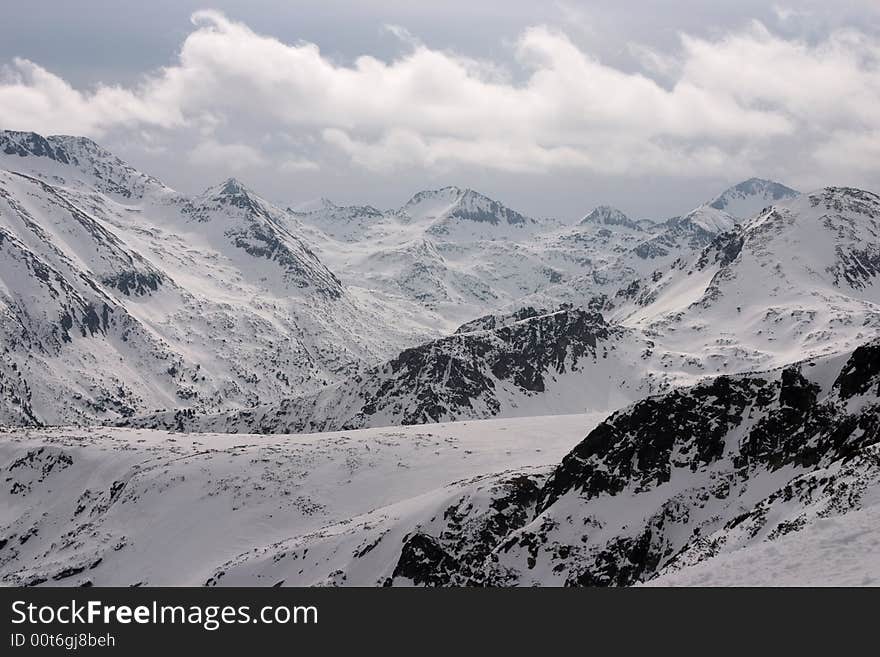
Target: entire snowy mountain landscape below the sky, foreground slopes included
{"type": "Point", "coordinates": [612, 401]}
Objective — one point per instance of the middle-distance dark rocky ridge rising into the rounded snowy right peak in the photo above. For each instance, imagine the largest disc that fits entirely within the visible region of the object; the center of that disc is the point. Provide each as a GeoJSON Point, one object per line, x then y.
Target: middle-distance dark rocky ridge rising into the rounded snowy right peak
{"type": "Point", "coordinates": [797, 281]}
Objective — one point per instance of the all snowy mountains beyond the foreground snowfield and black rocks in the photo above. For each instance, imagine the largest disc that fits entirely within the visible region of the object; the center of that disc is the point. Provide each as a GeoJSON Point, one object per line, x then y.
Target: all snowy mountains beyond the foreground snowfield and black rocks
{"type": "Point", "coordinates": [170, 284]}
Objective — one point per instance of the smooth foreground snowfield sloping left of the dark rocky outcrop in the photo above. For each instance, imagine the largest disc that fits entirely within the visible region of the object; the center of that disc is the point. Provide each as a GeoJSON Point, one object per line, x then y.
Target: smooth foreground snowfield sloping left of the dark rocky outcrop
{"type": "Point", "coordinates": [122, 507]}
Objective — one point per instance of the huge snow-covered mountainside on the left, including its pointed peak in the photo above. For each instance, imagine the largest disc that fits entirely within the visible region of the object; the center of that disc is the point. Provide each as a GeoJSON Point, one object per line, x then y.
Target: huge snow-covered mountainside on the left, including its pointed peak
{"type": "Point", "coordinates": [122, 296]}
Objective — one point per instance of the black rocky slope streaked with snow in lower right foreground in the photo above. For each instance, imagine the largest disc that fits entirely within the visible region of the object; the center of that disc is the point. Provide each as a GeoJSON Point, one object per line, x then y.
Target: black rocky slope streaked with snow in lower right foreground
{"type": "Point", "coordinates": [673, 480]}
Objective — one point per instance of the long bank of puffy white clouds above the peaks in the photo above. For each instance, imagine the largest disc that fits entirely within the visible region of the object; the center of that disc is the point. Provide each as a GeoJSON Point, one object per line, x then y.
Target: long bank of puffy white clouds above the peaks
{"type": "Point", "coordinates": [724, 104]}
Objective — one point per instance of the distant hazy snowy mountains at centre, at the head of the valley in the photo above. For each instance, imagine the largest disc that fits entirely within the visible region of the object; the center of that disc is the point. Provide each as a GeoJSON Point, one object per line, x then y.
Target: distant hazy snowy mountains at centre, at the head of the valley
{"type": "Point", "coordinates": [446, 255]}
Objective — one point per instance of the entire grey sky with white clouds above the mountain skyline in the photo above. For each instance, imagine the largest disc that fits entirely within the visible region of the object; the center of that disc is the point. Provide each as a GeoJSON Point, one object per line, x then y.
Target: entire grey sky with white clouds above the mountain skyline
{"type": "Point", "coordinates": [551, 107]}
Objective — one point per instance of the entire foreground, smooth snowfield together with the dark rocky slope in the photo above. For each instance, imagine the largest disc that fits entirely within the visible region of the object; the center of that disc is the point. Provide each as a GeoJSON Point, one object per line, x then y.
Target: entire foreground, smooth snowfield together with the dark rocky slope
{"type": "Point", "coordinates": [714, 474]}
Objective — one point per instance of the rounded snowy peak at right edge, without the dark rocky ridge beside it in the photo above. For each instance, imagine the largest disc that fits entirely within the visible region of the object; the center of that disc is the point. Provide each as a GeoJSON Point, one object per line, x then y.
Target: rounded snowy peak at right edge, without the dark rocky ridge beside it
{"type": "Point", "coordinates": [800, 279]}
